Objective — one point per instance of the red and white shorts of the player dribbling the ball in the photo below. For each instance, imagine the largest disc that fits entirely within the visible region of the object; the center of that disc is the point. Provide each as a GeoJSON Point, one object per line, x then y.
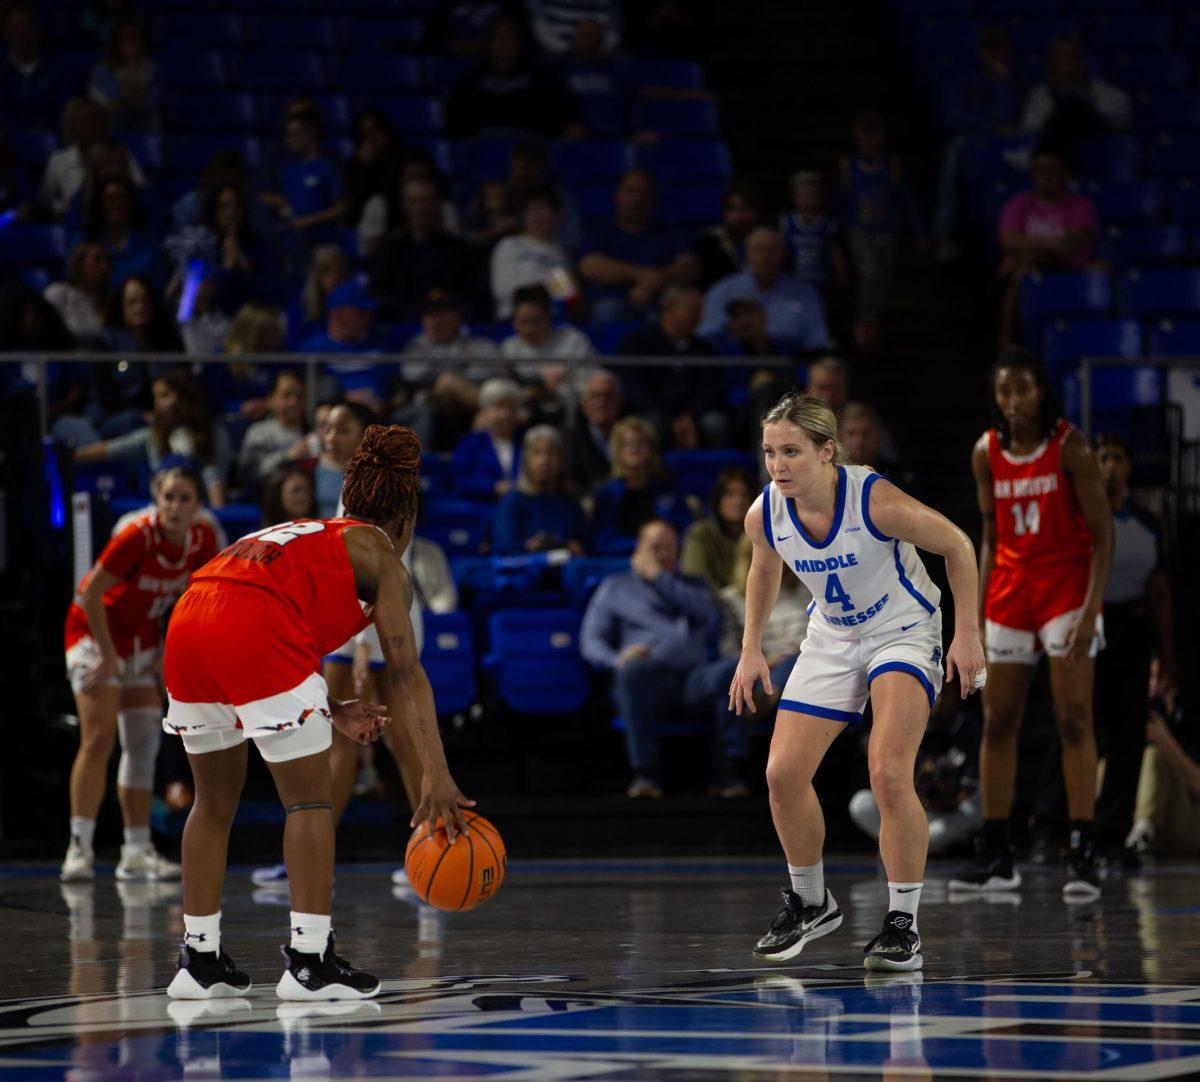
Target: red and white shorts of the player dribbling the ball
{"type": "Point", "coordinates": [237, 666]}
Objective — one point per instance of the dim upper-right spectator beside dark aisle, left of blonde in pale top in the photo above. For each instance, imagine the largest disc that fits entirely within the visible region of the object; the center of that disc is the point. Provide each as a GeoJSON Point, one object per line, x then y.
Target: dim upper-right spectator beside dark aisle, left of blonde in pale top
{"type": "Point", "coordinates": [986, 103]}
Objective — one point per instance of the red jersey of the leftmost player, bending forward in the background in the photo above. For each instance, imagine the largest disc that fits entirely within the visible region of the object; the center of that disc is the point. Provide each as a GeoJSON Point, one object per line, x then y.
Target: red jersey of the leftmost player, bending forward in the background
{"type": "Point", "coordinates": [153, 574]}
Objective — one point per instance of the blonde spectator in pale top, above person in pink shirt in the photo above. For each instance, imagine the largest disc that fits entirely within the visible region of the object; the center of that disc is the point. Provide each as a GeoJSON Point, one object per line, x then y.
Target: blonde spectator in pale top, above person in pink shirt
{"type": "Point", "coordinates": [1073, 105]}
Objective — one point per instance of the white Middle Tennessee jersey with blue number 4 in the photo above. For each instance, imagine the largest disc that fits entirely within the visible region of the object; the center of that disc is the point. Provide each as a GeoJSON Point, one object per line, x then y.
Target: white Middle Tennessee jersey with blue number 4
{"type": "Point", "coordinates": [862, 581]}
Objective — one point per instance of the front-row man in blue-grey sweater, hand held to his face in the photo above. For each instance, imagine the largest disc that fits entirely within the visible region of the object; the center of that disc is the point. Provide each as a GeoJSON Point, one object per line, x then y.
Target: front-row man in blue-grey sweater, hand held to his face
{"type": "Point", "coordinates": [655, 630]}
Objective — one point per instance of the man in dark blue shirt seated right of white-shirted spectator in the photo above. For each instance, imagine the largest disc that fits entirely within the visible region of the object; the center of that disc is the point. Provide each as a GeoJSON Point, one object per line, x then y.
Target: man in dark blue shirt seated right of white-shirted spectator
{"type": "Point", "coordinates": [631, 260]}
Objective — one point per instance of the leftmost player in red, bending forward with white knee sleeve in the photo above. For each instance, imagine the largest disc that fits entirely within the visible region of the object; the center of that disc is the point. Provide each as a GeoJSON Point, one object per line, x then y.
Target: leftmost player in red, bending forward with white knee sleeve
{"type": "Point", "coordinates": [112, 638]}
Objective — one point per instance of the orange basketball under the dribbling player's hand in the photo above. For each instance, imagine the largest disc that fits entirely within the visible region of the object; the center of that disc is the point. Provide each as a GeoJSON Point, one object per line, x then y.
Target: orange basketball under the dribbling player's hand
{"type": "Point", "coordinates": [460, 876]}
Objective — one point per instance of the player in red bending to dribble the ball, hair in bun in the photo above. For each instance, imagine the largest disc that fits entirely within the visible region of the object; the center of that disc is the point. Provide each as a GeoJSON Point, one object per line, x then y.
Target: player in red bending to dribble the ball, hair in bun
{"type": "Point", "coordinates": [243, 662]}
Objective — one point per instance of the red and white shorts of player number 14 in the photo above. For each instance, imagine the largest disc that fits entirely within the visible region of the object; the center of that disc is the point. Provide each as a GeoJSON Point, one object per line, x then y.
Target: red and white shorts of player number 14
{"type": "Point", "coordinates": [1028, 614]}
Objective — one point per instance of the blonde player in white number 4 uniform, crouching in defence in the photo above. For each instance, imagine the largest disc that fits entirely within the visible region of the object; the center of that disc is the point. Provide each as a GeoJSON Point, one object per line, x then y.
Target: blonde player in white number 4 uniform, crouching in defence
{"type": "Point", "coordinates": [875, 632]}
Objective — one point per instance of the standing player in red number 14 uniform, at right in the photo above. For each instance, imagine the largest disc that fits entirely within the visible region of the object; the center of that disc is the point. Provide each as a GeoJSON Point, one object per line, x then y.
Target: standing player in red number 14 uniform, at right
{"type": "Point", "coordinates": [1043, 568]}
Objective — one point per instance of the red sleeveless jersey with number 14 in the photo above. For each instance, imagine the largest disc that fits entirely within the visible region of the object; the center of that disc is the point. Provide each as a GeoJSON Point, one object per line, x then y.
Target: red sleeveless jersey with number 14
{"type": "Point", "coordinates": [1039, 521]}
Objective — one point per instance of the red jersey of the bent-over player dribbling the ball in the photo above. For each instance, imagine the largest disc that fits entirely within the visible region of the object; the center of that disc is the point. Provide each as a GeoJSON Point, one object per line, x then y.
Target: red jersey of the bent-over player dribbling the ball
{"type": "Point", "coordinates": [305, 564]}
